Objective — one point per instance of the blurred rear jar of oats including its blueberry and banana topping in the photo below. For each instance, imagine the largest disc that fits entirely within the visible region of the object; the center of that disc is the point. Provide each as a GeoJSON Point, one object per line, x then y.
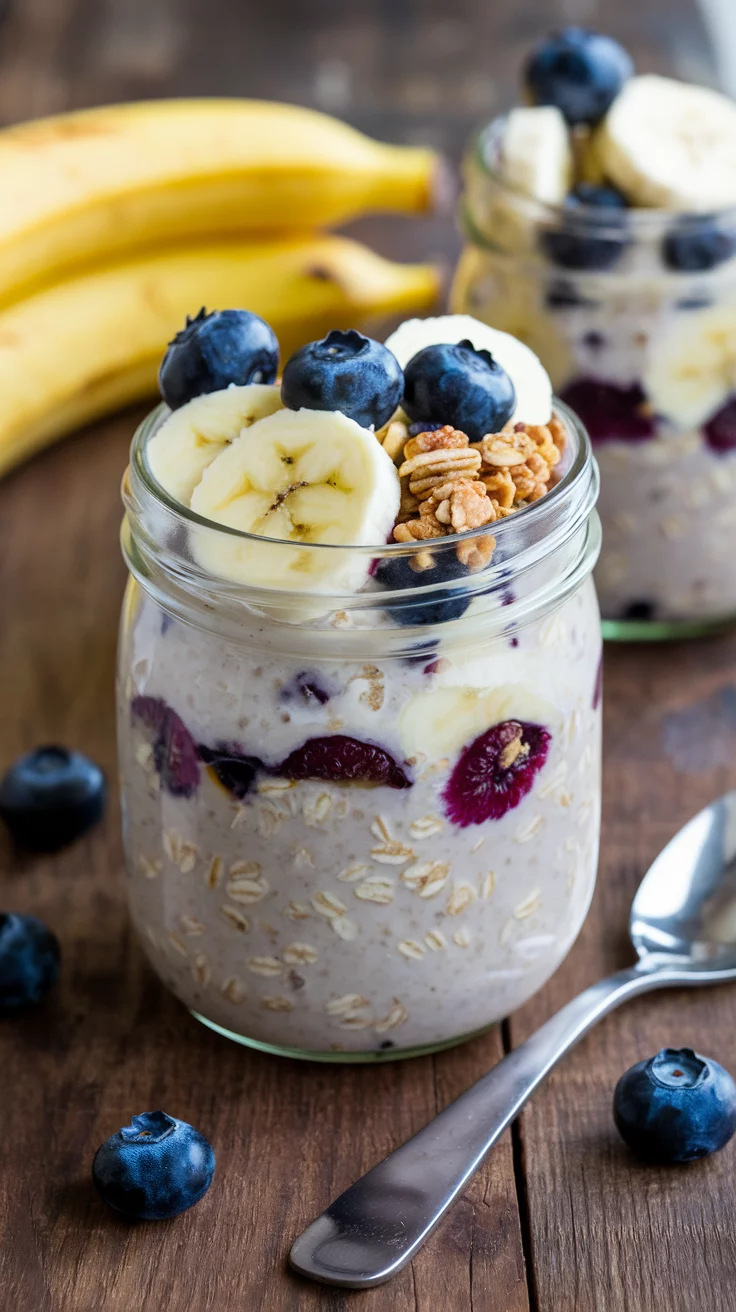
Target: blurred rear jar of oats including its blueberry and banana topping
{"type": "Point", "coordinates": [602, 230]}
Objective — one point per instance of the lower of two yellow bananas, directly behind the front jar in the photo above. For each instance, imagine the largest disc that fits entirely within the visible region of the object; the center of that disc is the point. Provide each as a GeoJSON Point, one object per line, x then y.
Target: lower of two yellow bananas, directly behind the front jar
{"type": "Point", "coordinates": [90, 344]}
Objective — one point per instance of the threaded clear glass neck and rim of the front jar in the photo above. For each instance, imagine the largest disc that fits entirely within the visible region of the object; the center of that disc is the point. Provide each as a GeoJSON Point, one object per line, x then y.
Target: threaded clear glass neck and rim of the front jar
{"type": "Point", "coordinates": [541, 557]}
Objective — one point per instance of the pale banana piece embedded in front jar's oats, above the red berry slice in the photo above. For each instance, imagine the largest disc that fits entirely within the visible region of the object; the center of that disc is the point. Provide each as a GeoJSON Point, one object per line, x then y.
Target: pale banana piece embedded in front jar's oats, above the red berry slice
{"type": "Point", "coordinates": [444, 721]}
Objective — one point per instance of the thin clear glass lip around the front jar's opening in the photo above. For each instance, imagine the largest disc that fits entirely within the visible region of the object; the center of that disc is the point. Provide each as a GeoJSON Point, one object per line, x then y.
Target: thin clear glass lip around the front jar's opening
{"type": "Point", "coordinates": [566, 489]}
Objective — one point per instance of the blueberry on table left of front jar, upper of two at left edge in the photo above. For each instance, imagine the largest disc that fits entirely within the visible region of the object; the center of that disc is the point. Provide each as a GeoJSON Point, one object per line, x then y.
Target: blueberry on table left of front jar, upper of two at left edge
{"type": "Point", "coordinates": [52, 797]}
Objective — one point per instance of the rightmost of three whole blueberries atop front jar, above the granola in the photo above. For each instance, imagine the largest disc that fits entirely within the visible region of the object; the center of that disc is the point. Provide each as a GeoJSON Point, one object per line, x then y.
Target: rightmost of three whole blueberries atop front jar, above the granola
{"type": "Point", "coordinates": [461, 386]}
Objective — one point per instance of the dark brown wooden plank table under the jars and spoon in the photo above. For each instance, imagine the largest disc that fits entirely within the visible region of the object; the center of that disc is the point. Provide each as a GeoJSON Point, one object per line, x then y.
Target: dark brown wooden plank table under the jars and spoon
{"type": "Point", "coordinates": [562, 1220]}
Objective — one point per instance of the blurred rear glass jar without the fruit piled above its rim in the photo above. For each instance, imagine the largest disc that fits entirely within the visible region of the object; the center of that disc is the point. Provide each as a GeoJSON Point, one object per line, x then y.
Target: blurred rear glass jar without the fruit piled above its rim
{"type": "Point", "coordinates": [634, 316]}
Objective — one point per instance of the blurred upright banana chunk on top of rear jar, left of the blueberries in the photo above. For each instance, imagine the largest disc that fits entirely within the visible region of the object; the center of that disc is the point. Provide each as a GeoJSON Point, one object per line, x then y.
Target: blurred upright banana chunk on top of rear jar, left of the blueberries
{"type": "Point", "coordinates": [537, 155]}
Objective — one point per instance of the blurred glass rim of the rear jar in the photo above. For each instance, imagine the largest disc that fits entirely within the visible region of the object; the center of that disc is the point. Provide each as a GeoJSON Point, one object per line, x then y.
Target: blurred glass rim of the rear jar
{"type": "Point", "coordinates": [644, 224]}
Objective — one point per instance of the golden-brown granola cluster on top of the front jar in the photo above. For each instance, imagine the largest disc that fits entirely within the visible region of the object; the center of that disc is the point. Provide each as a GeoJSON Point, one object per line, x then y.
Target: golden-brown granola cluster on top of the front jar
{"type": "Point", "coordinates": [452, 486]}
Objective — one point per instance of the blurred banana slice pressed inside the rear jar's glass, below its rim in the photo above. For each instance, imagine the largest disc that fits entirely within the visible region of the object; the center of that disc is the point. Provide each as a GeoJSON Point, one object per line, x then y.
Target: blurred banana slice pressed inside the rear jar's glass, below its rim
{"type": "Point", "coordinates": [692, 369]}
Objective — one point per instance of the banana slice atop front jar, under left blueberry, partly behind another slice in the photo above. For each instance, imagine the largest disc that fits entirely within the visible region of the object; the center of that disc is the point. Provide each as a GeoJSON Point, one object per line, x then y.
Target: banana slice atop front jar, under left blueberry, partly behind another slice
{"type": "Point", "coordinates": [192, 436]}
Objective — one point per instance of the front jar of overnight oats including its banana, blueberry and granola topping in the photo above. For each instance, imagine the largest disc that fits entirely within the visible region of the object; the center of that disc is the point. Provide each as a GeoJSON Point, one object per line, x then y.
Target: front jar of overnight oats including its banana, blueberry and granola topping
{"type": "Point", "coordinates": [360, 682]}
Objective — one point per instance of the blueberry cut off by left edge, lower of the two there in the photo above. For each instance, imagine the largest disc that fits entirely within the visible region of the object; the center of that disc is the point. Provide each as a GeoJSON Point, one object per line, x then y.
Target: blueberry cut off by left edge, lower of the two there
{"type": "Point", "coordinates": [30, 961]}
